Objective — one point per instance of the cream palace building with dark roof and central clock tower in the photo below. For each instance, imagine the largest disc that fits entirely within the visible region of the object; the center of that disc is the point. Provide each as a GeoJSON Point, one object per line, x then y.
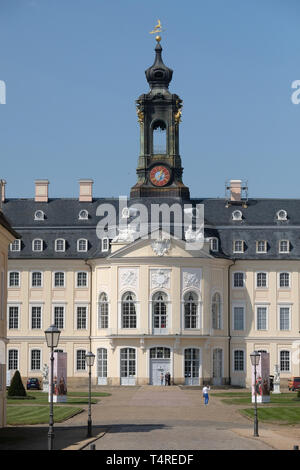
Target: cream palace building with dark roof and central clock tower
{"type": "Point", "coordinates": [147, 305]}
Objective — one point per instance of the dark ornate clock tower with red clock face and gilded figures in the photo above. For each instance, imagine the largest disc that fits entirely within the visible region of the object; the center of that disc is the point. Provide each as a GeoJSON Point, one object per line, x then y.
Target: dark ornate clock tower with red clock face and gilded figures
{"type": "Point", "coordinates": [159, 170]}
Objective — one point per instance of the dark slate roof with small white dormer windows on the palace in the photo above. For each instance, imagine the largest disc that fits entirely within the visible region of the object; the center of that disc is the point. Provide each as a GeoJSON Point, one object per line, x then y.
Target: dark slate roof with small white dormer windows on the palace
{"type": "Point", "coordinates": [259, 222]}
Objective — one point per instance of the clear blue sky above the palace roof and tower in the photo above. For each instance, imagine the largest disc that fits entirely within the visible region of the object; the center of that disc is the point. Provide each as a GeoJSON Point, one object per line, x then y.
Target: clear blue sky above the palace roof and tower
{"type": "Point", "coordinates": [74, 68]}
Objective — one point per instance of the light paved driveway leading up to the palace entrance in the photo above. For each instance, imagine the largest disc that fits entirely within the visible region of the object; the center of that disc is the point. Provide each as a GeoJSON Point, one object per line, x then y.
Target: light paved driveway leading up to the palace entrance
{"type": "Point", "coordinates": [154, 418]}
